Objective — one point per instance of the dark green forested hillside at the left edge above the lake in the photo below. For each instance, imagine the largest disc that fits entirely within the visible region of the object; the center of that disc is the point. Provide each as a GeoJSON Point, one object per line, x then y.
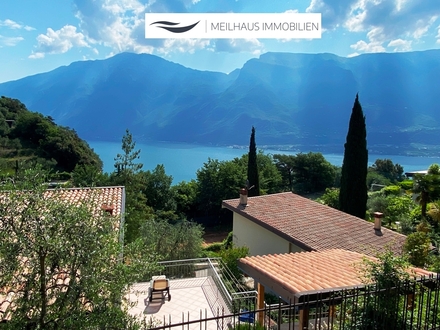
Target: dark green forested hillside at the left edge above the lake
{"type": "Point", "coordinates": [28, 138]}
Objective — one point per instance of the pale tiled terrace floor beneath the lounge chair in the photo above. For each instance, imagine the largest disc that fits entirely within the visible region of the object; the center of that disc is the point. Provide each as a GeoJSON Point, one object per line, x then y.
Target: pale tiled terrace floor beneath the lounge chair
{"type": "Point", "coordinates": [188, 302]}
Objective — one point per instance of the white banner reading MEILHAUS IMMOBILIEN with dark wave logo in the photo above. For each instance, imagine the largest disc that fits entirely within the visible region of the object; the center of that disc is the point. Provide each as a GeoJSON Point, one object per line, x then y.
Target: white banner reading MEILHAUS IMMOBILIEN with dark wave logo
{"type": "Point", "coordinates": [232, 25]}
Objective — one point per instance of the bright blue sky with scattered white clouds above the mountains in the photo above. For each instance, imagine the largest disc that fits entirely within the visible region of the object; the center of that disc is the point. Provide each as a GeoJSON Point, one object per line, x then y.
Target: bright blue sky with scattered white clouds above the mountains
{"type": "Point", "coordinates": [40, 35]}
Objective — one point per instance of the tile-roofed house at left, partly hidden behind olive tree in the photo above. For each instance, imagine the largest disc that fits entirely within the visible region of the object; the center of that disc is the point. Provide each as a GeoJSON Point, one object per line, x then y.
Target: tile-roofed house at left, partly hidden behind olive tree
{"type": "Point", "coordinates": [101, 199]}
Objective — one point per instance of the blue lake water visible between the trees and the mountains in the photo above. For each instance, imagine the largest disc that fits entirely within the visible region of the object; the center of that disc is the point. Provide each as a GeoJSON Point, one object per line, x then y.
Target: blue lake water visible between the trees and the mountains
{"type": "Point", "coordinates": [183, 160]}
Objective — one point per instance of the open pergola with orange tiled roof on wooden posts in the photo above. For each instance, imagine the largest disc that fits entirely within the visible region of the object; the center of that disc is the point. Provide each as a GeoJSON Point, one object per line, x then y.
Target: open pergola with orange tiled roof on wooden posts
{"type": "Point", "coordinates": [297, 276]}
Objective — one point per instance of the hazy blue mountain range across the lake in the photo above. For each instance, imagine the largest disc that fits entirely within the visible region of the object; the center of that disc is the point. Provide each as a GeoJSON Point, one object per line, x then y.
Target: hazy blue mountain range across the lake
{"type": "Point", "coordinates": [300, 100]}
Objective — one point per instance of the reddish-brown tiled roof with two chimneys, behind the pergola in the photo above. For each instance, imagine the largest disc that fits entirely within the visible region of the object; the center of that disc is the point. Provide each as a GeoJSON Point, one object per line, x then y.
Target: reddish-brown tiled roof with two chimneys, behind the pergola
{"type": "Point", "coordinates": [316, 227]}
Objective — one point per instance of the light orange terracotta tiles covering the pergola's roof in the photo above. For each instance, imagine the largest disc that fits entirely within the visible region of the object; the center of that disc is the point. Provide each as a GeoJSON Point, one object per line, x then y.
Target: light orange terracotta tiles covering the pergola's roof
{"type": "Point", "coordinates": [312, 271]}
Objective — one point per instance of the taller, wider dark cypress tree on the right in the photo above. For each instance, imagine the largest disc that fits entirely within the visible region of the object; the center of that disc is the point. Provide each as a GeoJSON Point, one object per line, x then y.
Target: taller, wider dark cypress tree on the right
{"type": "Point", "coordinates": [353, 192]}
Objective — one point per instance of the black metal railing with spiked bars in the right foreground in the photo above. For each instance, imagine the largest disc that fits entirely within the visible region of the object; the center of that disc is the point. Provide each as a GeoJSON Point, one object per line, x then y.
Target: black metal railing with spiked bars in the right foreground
{"type": "Point", "coordinates": [409, 305]}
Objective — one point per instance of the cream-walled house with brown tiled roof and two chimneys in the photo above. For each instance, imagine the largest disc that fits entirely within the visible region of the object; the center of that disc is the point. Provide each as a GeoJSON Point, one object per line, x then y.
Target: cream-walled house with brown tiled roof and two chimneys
{"type": "Point", "coordinates": [285, 222]}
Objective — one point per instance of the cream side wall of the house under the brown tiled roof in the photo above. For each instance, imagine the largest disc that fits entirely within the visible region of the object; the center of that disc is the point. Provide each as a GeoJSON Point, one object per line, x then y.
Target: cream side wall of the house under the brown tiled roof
{"type": "Point", "coordinates": [259, 240]}
